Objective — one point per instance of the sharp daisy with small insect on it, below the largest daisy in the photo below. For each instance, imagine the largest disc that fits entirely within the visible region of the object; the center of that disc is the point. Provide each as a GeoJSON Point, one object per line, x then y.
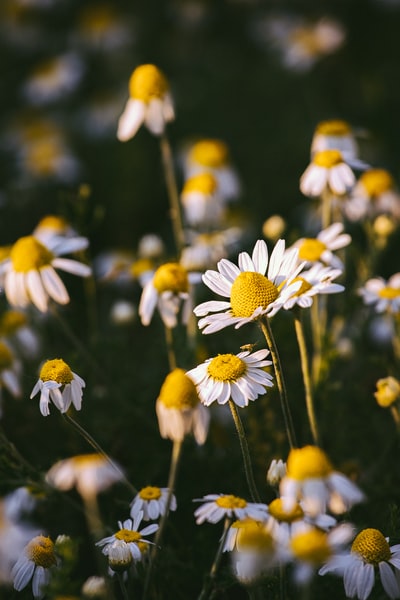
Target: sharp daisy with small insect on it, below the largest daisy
{"type": "Point", "coordinates": [240, 377]}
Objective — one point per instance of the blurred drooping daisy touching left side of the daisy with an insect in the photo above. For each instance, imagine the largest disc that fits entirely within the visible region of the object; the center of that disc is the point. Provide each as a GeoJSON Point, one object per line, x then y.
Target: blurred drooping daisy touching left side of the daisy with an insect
{"type": "Point", "coordinates": [179, 410]}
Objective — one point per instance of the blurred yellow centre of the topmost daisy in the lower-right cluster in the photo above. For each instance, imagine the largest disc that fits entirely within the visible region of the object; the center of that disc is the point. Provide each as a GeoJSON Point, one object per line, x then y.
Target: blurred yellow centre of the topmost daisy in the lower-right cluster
{"type": "Point", "coordinates": [307, 463]}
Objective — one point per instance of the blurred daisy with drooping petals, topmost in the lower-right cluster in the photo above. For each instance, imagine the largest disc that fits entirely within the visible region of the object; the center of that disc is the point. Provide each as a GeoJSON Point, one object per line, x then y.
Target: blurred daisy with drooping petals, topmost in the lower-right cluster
{"type": "Point", "coordinates": [311, 479]}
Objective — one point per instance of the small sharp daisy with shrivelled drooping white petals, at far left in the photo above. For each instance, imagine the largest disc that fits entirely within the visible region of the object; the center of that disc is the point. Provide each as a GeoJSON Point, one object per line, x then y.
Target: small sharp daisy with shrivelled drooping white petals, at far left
{"type": "Point", "coordinates": [57, 383]}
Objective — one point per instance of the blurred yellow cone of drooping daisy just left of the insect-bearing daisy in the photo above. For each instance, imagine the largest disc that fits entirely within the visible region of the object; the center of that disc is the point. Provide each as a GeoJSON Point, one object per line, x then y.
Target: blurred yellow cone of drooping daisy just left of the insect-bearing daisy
{"type": "Point", "coordinates": [178, 391]}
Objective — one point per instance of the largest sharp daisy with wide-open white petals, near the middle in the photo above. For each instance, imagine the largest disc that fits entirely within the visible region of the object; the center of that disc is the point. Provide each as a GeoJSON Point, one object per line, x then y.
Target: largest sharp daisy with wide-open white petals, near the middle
{"type": "Point", "coordinates": [251, 293]}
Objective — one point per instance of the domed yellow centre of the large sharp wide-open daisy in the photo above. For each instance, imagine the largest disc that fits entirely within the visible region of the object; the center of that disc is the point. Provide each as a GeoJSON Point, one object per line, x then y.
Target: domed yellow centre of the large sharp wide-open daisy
{"type": "Point", "coordinates": [250, 291]}
